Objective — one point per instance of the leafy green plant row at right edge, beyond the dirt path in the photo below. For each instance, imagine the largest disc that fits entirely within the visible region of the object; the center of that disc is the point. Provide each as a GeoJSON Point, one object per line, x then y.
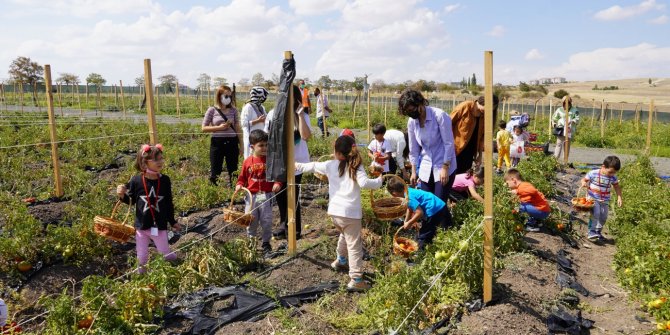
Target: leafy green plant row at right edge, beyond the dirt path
{"type": "Point", "coordinates": [642, 225]}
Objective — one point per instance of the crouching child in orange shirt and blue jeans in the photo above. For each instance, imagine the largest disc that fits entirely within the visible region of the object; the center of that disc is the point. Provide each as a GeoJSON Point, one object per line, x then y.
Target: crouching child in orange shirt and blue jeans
{"type": "Point", "coordinates": [531, 200]}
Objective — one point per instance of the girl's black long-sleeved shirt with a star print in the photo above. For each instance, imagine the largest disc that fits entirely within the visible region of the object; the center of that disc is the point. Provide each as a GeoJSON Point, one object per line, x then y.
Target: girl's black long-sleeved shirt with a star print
{"type": "Point", "coordinates": [161, 203]}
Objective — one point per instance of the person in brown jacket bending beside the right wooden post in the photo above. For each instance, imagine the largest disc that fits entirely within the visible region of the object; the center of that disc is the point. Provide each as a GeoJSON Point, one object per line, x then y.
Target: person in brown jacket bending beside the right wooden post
{"type": "Point", "coordinates": [467, 120]}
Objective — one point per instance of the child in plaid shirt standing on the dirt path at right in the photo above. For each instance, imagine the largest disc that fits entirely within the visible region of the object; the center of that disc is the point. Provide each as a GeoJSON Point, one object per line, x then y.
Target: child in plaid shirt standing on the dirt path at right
{"type": "Point", "coordinates": [600, 182]}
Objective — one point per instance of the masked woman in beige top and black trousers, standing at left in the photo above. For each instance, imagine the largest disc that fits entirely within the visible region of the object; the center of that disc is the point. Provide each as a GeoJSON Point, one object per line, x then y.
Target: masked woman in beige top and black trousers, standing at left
{"type": "Point", "coordinates": [223, 122]}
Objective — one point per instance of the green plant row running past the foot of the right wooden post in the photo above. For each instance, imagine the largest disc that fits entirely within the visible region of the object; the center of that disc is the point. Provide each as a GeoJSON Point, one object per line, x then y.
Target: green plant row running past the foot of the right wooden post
{"type": "Point", "coordinates": [399, 286]}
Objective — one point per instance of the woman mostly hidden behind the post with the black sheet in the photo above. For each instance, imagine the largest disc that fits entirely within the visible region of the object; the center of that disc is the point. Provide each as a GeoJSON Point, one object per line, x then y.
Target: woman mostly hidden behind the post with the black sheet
{"type": "Point", "coordinates": [301, 134]}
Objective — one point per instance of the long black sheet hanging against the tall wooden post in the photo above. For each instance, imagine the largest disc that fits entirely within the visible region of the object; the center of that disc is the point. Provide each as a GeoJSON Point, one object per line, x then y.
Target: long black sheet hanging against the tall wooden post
{"type": "Point", "coordinates": [276, 158]}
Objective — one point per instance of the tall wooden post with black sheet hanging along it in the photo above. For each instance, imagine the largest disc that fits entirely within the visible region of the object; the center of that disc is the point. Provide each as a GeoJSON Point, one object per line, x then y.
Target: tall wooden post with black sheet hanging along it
{"type": "Point", "coordinates": [290, 166]}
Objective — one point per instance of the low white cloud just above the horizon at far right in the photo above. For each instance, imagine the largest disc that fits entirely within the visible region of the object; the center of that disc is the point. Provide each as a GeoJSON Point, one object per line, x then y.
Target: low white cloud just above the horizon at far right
{"type": "Point", "coordinates": [642, 60]}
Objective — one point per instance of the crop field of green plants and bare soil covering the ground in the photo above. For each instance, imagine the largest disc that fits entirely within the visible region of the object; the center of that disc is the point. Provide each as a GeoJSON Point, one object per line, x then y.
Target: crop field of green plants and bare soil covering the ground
{"type": "Point", "coordinates": [59, 277]}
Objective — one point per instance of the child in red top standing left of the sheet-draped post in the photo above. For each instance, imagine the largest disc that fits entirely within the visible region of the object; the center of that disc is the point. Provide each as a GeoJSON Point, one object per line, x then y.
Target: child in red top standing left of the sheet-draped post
{"type": "Point", "coordinates": [252, 177]}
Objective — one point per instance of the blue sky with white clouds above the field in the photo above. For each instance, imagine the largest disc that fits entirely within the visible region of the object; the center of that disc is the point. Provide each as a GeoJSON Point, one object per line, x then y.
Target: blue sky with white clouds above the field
{"type": "Point", "coordinates": [391, 40]}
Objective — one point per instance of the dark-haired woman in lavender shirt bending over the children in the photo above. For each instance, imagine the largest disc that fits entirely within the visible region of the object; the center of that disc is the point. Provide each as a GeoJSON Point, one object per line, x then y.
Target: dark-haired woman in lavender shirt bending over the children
{"type": "Point", "coordinates": [431, 146]}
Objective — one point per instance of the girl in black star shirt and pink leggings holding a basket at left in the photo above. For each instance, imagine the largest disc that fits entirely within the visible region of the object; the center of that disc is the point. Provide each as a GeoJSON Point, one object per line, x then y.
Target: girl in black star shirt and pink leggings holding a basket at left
{"type": "Point", "coordinates": [151, 193]}
